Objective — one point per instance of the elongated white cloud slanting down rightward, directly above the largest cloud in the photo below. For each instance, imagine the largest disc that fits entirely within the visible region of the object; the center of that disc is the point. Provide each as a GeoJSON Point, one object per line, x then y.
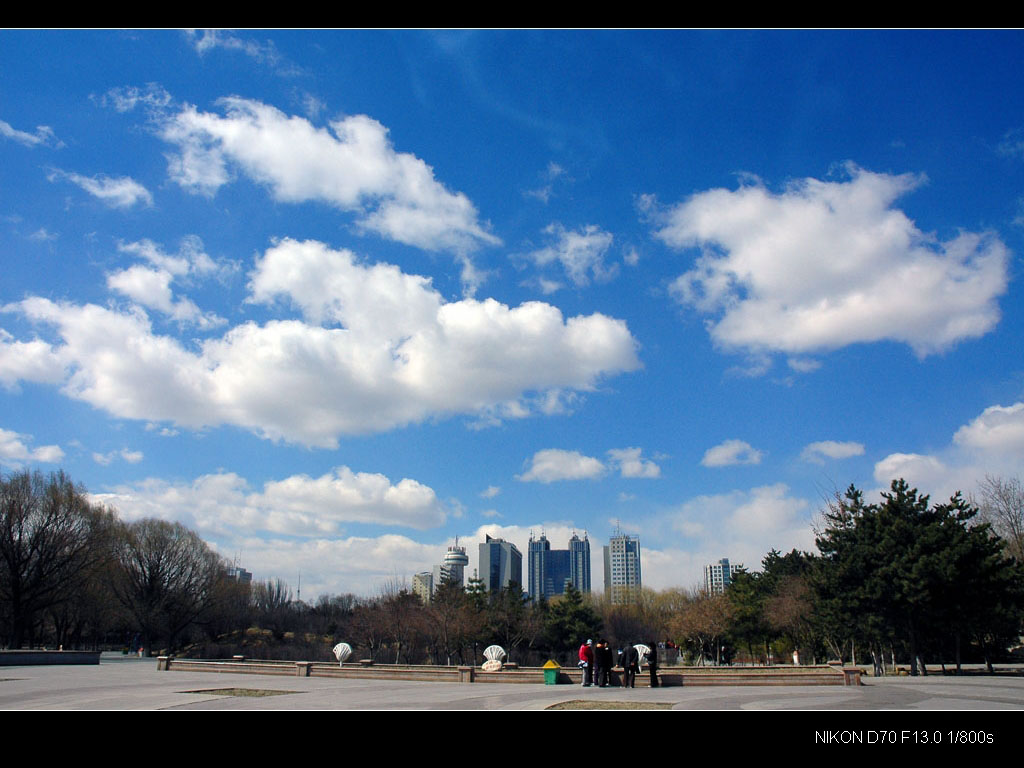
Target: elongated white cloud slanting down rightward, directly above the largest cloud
{"type": "Point", "coordinates": [352, 166]}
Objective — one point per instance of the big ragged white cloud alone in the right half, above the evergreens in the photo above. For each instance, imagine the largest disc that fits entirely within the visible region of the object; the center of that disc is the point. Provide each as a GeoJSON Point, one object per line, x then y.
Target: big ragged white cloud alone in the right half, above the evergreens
{"type": "Point", "coordinates": [826, 265]}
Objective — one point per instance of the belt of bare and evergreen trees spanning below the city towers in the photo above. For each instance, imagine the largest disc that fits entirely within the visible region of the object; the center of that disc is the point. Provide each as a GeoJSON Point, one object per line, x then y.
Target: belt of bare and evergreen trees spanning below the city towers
{"type": "Point", "coordinates": [898, 582]}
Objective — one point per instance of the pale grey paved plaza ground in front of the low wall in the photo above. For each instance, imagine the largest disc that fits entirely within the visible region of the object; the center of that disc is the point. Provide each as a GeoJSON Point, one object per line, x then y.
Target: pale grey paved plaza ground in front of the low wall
{"type": "Point", "coordinates": [136, 685]}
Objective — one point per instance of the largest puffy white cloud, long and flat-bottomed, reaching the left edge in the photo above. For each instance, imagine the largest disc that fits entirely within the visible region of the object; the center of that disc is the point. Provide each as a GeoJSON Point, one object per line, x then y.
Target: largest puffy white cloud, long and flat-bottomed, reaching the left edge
{"type": "Point", "coordinates": [377, 350]}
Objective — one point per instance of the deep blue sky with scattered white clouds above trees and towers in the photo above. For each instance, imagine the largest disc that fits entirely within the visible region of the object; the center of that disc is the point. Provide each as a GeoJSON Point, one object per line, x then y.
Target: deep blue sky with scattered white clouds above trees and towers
{"type": "Point", "coordinates": [333, 300]}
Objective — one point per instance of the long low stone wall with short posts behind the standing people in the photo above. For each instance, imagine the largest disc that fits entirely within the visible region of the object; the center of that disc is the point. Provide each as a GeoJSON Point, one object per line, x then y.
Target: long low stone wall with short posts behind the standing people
{"type": "Point", "coordinates": [672, 676]}
